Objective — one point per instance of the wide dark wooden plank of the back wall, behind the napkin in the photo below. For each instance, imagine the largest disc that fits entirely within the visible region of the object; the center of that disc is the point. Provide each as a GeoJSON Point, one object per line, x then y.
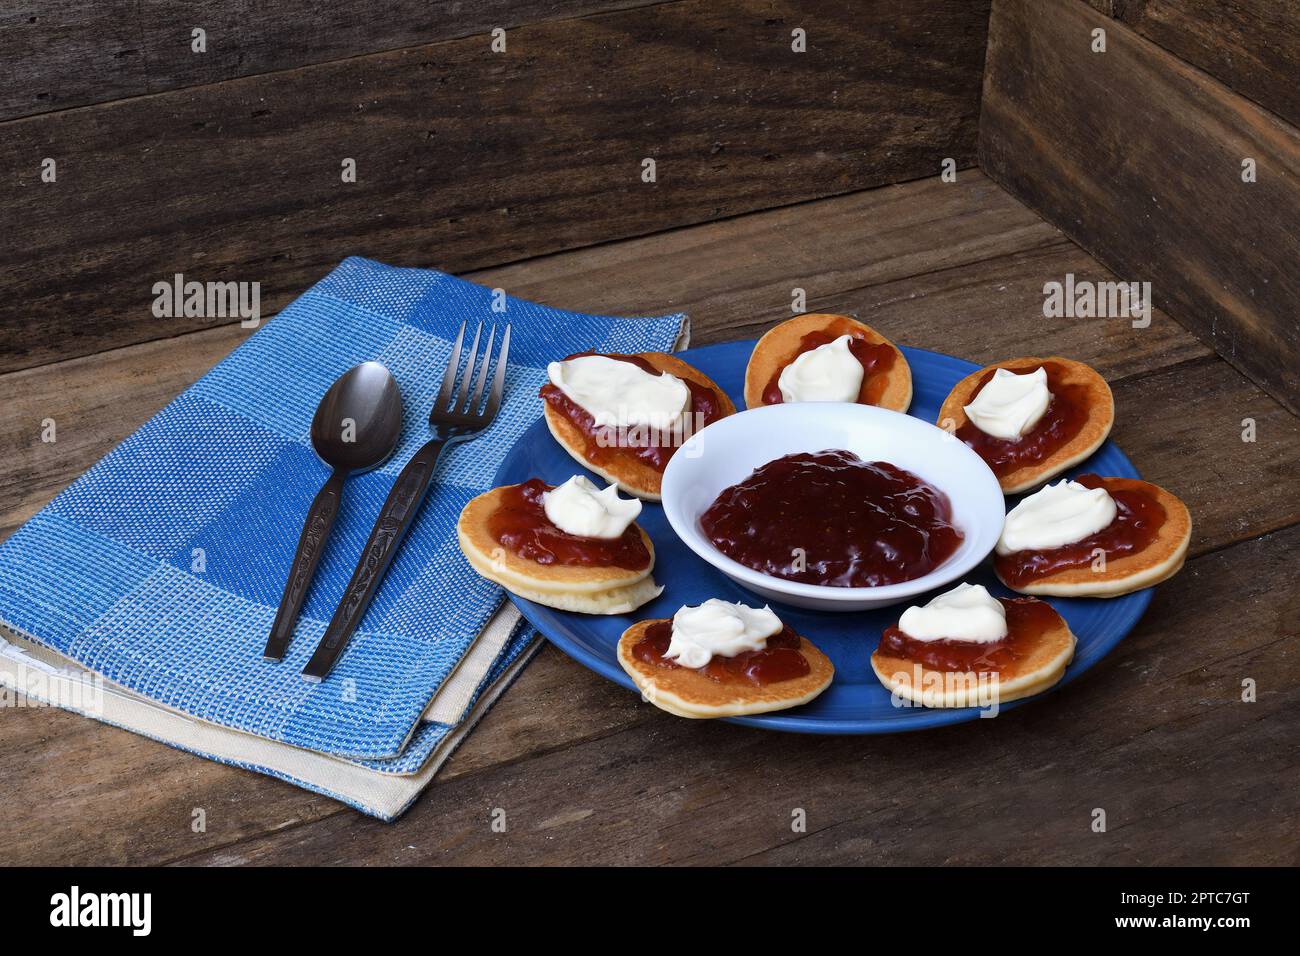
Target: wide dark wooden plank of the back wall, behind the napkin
{"type": "Point", "coordinates": [469, 158]}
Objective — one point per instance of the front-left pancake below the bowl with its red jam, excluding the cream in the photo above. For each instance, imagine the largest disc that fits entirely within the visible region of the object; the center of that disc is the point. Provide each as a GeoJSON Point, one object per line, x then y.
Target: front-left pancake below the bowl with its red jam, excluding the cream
{"type": "Point", "coordinates": [786, 671]}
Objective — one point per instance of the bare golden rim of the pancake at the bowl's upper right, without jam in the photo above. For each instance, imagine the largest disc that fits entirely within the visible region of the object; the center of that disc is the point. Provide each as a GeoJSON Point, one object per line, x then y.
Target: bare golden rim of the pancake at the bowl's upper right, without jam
{"type": "Point", "coordinates": [1102, 417]}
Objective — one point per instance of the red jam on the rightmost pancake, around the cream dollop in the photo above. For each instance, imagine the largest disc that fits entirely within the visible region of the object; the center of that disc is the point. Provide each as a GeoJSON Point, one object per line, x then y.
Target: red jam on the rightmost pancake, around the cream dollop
{"type": "Point", "coordinates": [1138, 521]}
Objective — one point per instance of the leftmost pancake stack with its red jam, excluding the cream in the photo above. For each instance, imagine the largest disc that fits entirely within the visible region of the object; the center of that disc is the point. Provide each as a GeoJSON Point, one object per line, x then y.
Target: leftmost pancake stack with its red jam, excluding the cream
{"type": "Point", "coordinates": [508, 538]}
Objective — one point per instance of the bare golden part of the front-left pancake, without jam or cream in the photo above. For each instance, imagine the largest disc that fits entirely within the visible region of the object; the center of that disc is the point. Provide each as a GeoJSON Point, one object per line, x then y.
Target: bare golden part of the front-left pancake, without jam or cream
{"type": "Point", "coordinates": [686, 693]}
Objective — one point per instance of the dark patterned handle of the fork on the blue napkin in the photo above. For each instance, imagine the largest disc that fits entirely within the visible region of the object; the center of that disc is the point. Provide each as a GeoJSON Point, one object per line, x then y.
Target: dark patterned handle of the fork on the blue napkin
{"type": "Point", "coordinates": [391, 527]}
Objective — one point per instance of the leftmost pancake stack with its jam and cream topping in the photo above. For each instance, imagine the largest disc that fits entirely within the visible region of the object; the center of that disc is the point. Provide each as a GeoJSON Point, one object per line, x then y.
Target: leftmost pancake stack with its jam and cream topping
{"type": "Point", "coordinates": [574, 547]}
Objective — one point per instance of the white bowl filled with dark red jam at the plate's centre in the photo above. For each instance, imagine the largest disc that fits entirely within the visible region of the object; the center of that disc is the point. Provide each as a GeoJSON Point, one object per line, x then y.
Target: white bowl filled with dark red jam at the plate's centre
{"type": "Point", "coordinates": [834, 507]}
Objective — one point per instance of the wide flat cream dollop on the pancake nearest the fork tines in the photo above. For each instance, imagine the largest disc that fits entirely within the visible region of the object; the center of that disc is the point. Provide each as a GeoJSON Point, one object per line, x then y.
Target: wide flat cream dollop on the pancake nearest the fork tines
{"type": "Point", "coordinates": [619, 393]}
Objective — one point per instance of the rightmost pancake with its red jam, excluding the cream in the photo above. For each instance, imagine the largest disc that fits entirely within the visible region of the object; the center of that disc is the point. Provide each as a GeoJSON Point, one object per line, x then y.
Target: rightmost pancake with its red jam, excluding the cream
{"type": "Point", "coordinates": [1146, 544]}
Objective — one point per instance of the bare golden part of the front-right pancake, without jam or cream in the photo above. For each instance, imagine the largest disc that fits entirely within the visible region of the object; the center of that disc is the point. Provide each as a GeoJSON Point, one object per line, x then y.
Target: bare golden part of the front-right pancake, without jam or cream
{"type": "Point", "coordinates": [1043, 667]}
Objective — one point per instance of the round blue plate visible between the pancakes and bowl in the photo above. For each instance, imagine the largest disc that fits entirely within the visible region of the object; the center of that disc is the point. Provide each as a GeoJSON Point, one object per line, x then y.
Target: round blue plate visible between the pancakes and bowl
{"type": "Point", "coordinates": [856, 703]}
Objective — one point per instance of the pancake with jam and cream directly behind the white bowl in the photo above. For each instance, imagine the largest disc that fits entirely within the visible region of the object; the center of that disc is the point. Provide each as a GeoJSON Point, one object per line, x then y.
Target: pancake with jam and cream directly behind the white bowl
{"type": "Point", "coordinates": [827, 358]}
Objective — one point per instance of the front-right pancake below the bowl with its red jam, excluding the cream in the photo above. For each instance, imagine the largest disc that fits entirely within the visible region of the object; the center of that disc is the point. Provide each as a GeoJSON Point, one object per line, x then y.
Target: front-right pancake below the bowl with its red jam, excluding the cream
{"type": "Point", "coordinates": [1032, 657]}
